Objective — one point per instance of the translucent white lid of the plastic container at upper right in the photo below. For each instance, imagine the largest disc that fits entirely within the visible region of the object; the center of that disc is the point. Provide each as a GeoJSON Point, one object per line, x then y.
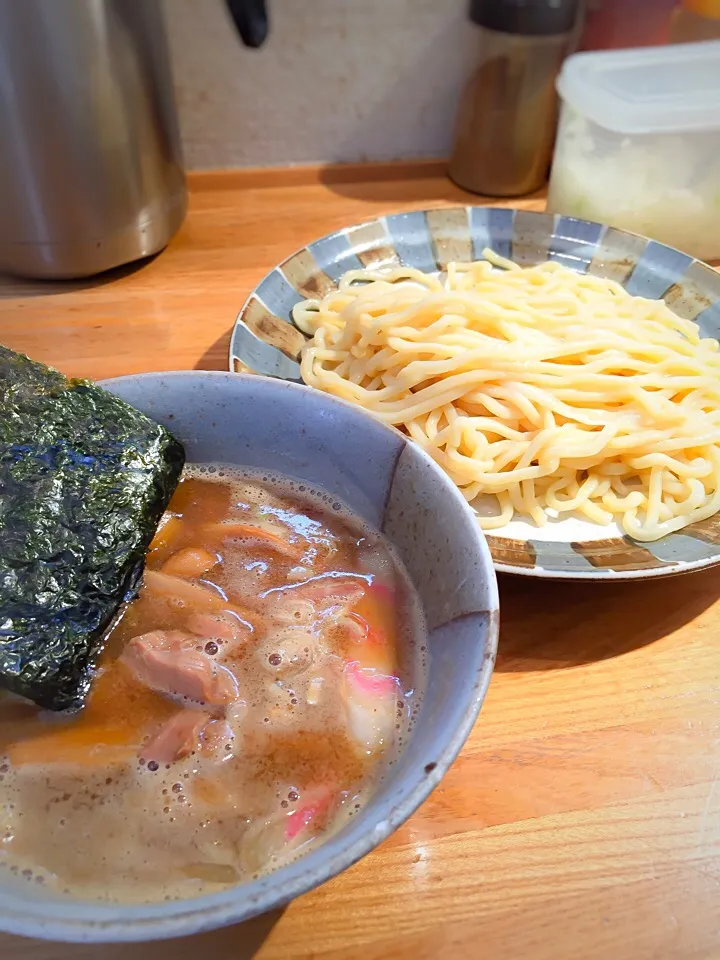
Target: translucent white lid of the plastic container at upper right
{"type": "Point", "coordinates": [669, 89]}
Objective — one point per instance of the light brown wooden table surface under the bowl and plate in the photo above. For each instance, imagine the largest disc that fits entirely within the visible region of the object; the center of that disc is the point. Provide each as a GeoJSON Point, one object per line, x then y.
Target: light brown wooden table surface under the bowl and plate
{"type": "Point", "coordinates": [582, 819]}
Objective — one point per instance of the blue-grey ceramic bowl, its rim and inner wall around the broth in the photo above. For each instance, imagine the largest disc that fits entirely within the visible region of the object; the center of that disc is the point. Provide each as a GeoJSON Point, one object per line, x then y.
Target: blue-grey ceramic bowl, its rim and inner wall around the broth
{"type": "Point", "coordinates": [392, 484]}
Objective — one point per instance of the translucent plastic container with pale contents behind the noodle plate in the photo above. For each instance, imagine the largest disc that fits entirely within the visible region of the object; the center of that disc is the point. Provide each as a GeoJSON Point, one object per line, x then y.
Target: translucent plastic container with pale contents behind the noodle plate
{"type": "Point", "coordinates": [639, 143]}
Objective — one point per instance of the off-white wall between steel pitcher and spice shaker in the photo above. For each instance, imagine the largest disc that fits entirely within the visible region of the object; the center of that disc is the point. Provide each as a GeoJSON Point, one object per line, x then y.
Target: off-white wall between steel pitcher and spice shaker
{"type": "Point", "coordinates": [337, 81]}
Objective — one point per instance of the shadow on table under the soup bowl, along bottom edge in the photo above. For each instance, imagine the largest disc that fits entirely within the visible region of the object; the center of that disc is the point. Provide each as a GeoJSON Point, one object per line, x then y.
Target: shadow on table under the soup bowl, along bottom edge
{"type": "Point", "coordinates": [240, 942]}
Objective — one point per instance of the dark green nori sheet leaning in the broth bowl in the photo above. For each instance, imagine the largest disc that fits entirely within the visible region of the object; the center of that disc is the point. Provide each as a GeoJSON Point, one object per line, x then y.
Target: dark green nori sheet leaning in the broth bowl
{"type": "Point", "coordinates": [84, 480]}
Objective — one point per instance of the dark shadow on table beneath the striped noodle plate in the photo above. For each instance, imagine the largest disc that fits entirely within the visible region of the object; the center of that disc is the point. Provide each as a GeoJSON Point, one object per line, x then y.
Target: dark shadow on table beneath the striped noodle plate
{"type": "Point", "coordinates": [549, 625]}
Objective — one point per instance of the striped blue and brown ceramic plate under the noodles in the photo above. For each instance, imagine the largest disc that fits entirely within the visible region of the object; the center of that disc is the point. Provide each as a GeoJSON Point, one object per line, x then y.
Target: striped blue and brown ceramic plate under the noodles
{"type": "Point", "coordinates": [265, 341]}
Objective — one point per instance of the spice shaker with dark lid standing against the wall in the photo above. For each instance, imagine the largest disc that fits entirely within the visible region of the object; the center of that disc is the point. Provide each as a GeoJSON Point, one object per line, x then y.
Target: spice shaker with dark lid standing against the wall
{"type": "Point", "coordinates": [507, 119]}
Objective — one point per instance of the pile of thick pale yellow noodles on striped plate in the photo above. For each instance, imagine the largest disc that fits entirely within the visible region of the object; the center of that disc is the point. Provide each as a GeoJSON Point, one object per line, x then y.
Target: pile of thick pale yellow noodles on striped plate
{"type": "Point", "coordinates": [551, 390]}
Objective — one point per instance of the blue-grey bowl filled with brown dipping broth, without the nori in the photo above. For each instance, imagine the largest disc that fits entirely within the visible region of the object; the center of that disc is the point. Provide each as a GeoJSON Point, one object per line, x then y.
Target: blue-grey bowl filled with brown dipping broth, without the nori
{"type": "Point", "coordinates": [309, 650]}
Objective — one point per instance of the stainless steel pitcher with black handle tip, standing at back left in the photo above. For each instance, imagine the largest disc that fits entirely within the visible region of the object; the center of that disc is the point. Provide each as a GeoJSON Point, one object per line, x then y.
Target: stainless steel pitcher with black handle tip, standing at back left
{"type": "Point", "coordinates": [91, 172]}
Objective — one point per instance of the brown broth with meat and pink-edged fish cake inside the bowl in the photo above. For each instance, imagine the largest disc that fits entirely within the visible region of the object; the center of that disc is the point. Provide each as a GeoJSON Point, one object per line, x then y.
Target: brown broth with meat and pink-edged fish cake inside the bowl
{"type": "Point", "coordinates": [247, 703]}
